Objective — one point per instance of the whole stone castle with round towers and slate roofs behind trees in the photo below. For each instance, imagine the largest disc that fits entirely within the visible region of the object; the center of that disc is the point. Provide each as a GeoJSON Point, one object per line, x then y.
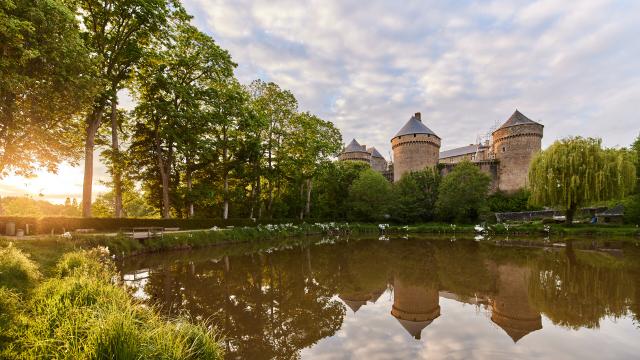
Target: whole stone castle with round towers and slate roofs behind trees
{"type": "Point", "coordinates": [505, 157]}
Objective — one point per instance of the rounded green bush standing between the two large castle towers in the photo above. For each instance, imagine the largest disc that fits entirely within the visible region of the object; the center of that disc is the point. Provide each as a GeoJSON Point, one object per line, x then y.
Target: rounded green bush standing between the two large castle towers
{"type": "Point", "coordinates": [463, 193]}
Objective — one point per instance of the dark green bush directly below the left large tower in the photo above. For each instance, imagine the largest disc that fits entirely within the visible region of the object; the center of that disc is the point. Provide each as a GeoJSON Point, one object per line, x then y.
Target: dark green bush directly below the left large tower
{"type": "Point", "coordinates": [415, 195]}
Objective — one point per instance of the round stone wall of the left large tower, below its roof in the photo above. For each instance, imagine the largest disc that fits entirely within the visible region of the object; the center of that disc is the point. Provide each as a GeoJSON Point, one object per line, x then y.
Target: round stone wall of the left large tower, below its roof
{"type": "Point", "coordinates": [414, 152]}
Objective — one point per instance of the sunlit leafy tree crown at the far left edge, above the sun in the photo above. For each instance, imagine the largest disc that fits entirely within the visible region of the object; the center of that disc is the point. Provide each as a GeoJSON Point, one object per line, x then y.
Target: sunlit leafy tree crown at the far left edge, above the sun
{"type": "Point", "coordinates": [45, 81]}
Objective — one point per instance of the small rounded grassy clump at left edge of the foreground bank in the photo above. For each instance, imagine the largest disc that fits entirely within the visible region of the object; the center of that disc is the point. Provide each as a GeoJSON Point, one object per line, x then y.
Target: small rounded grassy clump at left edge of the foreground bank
{"type": "Point", "coordinates": [17, 271]}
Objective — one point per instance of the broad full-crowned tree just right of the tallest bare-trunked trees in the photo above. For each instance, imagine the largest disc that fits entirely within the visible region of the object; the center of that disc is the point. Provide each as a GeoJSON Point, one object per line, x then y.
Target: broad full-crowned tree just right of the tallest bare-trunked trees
{"type": "Point", "coordinates": [184, 94]}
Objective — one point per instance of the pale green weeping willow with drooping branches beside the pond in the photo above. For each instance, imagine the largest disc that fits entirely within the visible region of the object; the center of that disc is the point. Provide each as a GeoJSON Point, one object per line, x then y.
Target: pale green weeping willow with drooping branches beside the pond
{"type": "Point", "coordinates": [575, 172]}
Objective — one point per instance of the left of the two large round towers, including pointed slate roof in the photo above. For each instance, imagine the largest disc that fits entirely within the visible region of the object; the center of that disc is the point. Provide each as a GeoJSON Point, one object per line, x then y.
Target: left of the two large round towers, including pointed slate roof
{"type": "Point", "coordinates": [415, 147]}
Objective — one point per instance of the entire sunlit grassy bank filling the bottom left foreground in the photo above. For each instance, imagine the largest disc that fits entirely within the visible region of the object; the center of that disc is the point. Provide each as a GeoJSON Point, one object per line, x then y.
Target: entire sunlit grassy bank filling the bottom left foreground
{"type": "Point", "coordinates": [80, 312]}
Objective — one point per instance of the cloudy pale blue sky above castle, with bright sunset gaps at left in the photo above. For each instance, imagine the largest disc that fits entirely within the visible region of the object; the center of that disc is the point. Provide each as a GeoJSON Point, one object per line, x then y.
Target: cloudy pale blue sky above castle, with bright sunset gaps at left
{"type": "Point", "coordinates": [465, 65]}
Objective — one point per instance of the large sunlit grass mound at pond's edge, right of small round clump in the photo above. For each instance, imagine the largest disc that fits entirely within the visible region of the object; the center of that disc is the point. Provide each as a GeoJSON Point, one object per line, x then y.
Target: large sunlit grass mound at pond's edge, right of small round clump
{"type": "Point", "coordinates": [82, 315]}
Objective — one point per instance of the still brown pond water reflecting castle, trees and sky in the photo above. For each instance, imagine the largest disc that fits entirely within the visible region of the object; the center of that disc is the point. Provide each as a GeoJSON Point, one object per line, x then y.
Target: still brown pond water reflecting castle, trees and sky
{"type": "Point", "coordinates": [404, 298]}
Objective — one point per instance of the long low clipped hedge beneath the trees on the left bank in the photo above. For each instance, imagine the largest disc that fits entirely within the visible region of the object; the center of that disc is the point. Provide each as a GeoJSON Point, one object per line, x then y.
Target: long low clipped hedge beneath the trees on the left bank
{"type": "Point", "coordinates": [57, 225]}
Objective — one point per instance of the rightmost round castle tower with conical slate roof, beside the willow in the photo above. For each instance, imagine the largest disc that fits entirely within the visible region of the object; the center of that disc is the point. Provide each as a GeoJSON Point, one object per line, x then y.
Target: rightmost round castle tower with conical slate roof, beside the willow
{"type": "Point", "coordinates": [514, 145]}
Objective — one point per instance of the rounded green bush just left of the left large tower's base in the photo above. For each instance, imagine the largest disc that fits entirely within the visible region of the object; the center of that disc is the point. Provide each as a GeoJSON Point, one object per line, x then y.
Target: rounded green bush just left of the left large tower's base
{"type": "Point", "coordinates": [369, 197]}
